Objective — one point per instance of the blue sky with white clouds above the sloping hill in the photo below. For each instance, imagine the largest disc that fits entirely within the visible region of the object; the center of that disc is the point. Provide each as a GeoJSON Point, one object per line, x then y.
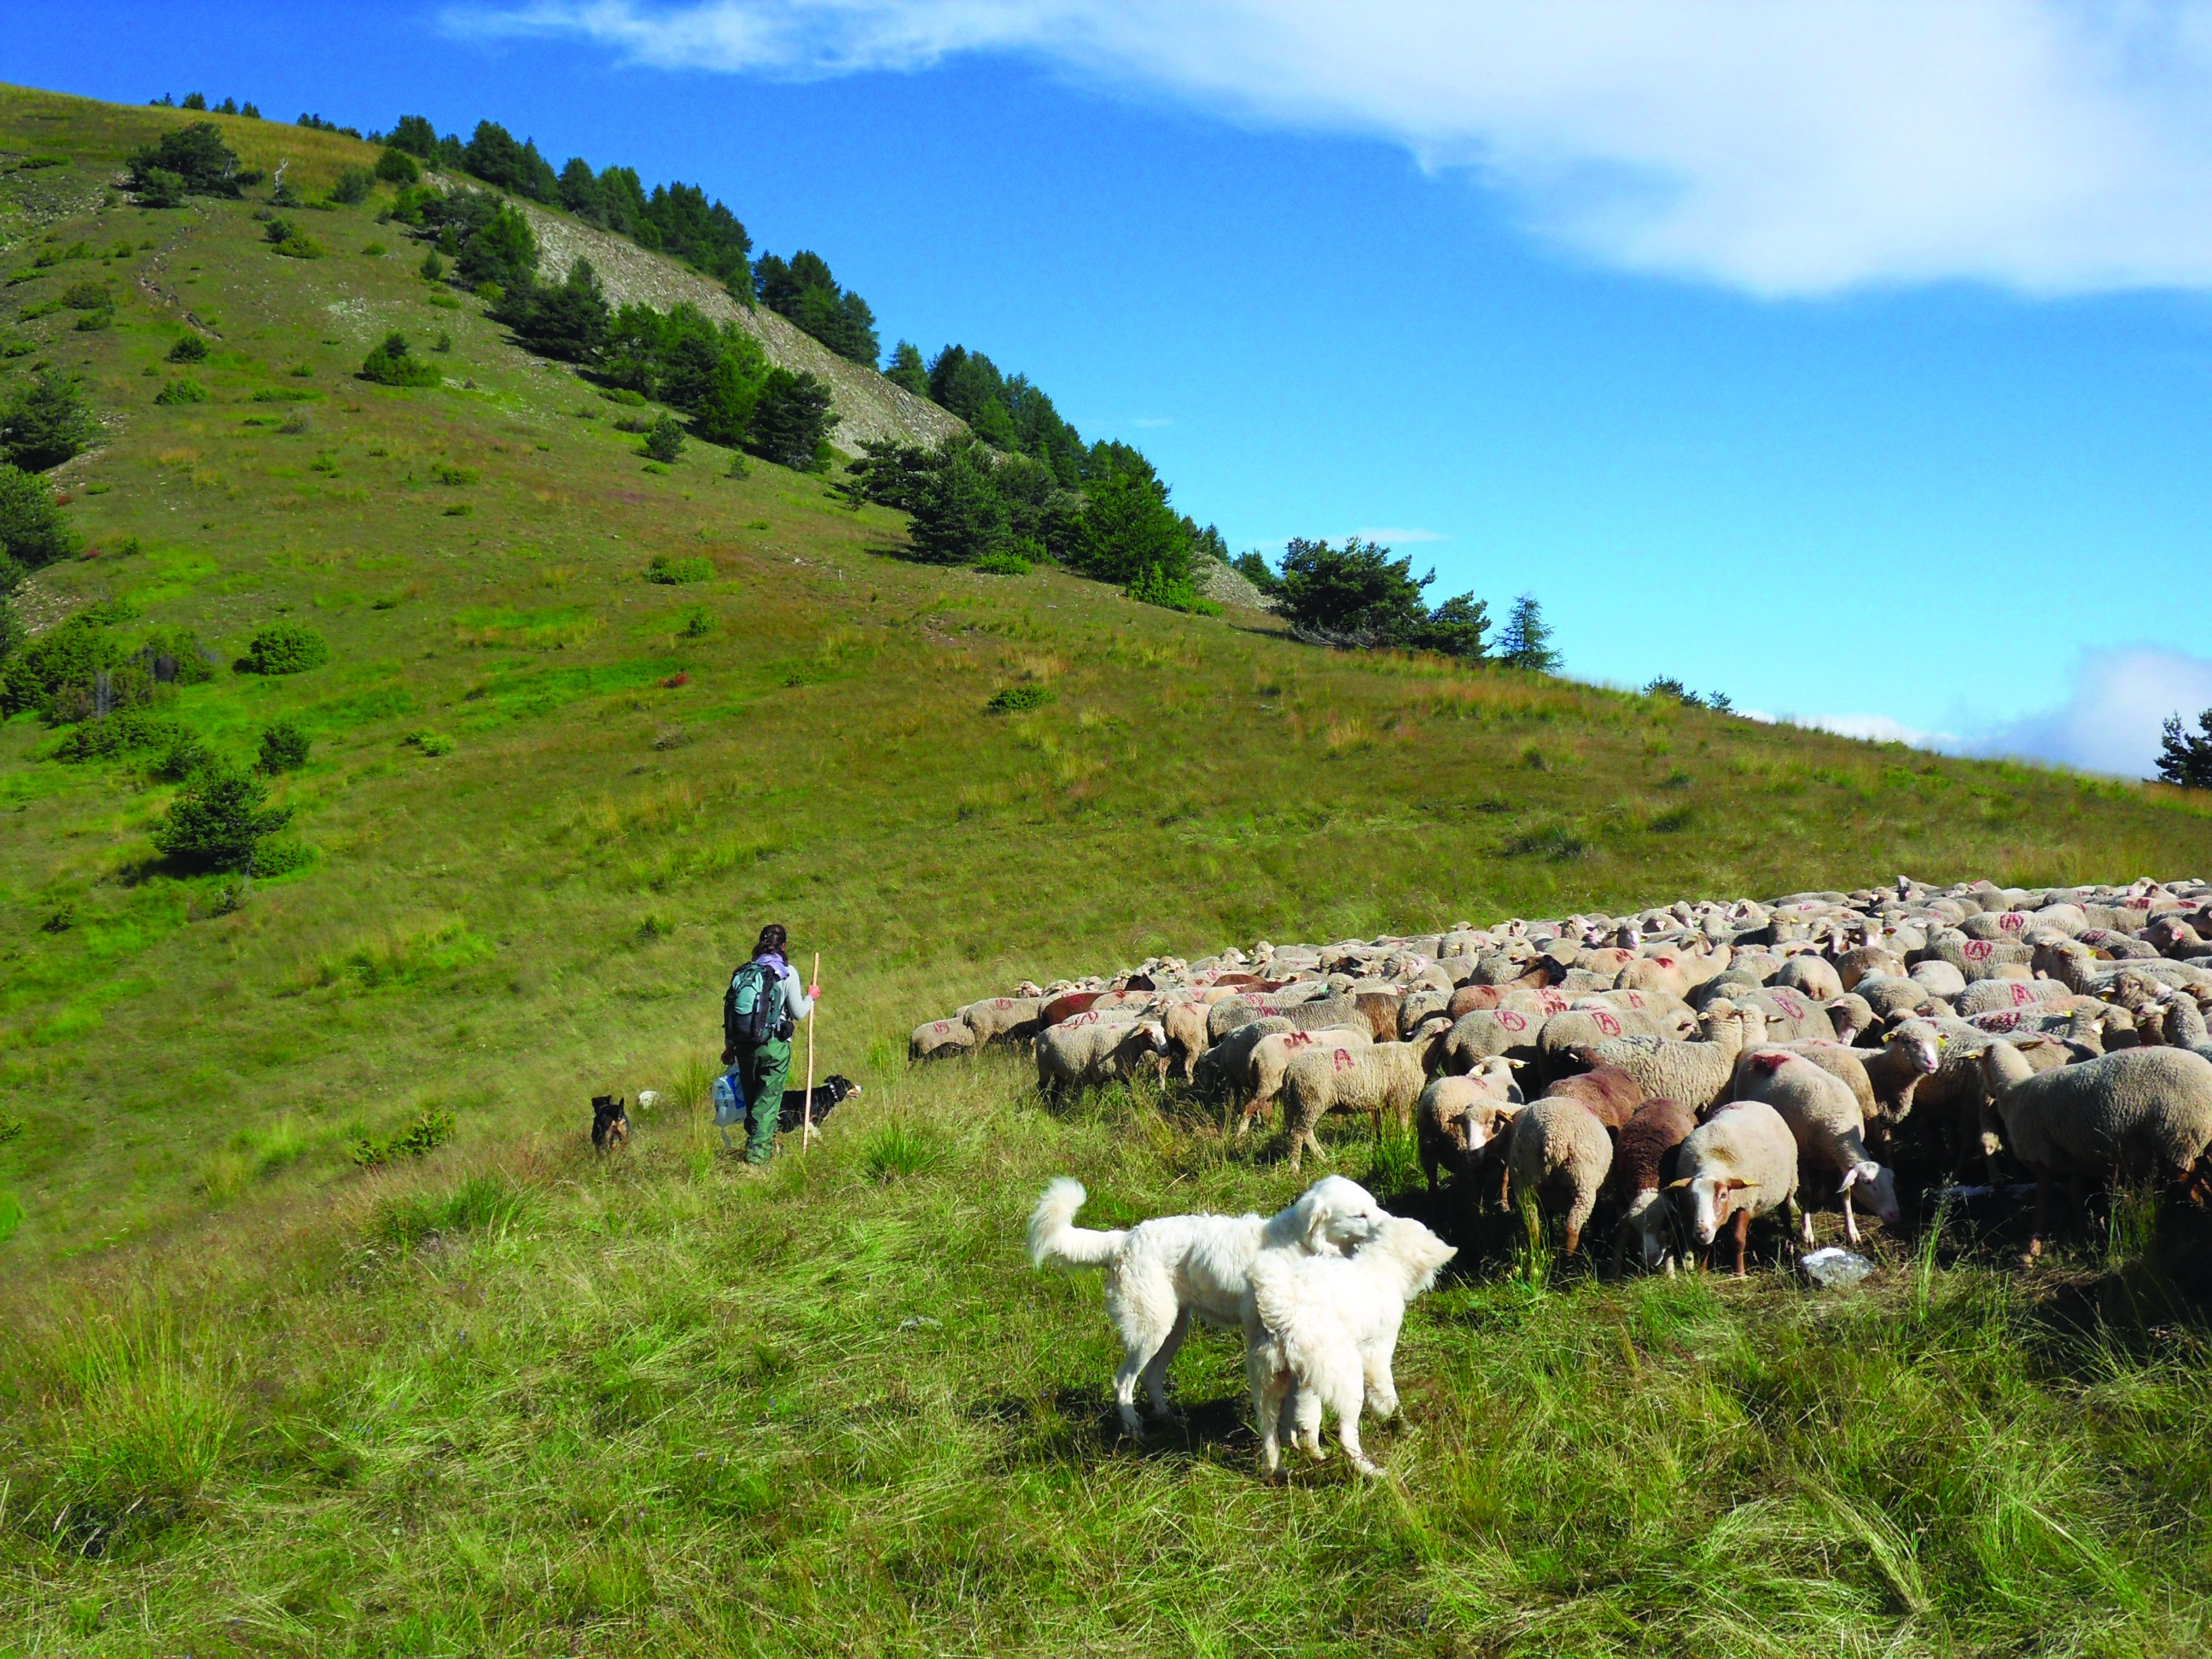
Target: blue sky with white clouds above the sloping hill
{"type": "Point", "coordinates": [1846, 359]}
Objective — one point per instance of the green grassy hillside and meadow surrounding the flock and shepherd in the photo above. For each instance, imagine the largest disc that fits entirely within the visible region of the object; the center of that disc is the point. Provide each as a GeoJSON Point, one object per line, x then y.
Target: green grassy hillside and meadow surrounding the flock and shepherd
{"type": "Point", "coordinates": [505, 1399]}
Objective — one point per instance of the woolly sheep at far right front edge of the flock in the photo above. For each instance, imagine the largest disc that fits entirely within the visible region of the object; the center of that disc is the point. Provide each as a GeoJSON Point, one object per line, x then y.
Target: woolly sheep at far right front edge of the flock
{"type": "Point", "coordinates": [2142, 1114]}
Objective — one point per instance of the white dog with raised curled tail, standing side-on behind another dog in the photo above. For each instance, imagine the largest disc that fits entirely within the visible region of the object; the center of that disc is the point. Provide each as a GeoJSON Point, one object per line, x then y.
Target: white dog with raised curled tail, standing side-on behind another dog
{"type": "Point", "coordinates": [1169, 1269]}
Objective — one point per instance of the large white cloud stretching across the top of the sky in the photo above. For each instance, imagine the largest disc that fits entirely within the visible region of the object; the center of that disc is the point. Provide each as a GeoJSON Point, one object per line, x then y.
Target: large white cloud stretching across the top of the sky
{"type": "Point", "coordinates": [1782, 149]}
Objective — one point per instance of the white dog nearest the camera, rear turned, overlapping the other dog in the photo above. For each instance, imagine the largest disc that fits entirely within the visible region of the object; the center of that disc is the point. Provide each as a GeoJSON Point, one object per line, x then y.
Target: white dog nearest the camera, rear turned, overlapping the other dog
{"type": "Point", "coordinates": [1324, 1331]}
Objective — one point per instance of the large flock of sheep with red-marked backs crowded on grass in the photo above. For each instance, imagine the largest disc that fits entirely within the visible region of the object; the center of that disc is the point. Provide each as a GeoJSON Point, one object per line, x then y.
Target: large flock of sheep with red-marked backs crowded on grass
{"type": "Point", "coordinates": [1698, 1067]}
